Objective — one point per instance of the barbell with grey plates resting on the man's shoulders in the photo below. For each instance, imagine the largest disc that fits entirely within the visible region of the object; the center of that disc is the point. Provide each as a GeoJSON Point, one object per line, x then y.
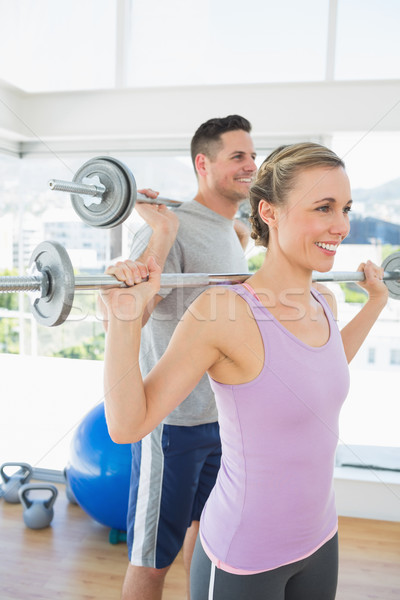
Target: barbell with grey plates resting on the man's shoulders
{"type": "Point", "coordinates": [103, 192]}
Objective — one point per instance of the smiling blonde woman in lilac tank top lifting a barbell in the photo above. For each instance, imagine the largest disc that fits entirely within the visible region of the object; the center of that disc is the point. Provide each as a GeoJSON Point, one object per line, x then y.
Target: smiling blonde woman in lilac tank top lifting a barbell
{"type": "Point", "coordinates": [278, 366]}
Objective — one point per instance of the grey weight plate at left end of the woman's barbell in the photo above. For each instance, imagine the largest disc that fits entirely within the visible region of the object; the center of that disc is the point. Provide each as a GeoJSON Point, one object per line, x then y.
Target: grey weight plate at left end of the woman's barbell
{"type": "Point", "coordinates": [55, 305]}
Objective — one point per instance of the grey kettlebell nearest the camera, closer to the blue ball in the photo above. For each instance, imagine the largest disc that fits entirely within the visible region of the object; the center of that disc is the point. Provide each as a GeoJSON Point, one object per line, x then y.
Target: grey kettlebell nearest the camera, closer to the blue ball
{"type": "Point", "coordinates": [38, 513]}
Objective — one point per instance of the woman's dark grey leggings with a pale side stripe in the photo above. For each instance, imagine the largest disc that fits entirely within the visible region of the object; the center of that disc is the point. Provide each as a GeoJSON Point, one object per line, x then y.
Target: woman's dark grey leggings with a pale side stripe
{"type": "Point", "coordinates": [312, 578]}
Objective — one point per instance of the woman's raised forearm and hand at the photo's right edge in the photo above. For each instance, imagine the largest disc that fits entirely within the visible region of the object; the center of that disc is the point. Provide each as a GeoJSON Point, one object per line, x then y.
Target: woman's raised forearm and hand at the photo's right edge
{"type": "Point", "coordinates": [355, 332]}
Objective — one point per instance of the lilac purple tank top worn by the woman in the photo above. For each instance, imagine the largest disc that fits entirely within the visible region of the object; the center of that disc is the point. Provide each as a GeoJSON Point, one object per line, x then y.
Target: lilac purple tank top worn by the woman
{"type": "Point", "coordinates": [273, 502]}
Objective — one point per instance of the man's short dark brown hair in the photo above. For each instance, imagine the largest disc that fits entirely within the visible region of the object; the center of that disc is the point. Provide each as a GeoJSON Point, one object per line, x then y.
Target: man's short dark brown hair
{"type": "Point", "coordinates": [207, 139]}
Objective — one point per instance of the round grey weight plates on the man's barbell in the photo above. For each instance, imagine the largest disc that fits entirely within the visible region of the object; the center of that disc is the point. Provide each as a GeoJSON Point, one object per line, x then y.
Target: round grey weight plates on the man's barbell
{"type": "Point", "coordinates": [118, 199]}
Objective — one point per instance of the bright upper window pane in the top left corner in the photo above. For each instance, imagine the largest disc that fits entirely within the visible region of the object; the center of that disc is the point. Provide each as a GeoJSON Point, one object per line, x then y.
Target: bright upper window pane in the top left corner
{"type": "Point", "coordinates": [58, 46]}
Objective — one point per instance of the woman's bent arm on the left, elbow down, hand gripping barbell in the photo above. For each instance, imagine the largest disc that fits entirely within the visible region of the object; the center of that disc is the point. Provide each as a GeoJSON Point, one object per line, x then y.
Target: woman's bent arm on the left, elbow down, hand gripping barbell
{"type": "Point", "coordinates": [135, 407]}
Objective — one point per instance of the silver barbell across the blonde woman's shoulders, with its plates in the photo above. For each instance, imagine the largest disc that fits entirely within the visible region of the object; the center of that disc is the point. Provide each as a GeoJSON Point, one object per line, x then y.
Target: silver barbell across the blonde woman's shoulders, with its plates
{"type": "Point", "coordinates": [53, 281]}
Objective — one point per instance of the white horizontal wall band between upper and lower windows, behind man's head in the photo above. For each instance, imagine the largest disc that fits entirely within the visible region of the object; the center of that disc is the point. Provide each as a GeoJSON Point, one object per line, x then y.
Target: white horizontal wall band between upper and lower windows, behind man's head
{"type": "Point", "coordinates": [147, 119]}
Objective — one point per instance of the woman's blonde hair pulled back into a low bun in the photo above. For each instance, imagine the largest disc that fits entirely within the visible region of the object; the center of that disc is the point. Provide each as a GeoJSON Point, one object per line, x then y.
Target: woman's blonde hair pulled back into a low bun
{"type": "Point", "coordinates": [277, 175]}
